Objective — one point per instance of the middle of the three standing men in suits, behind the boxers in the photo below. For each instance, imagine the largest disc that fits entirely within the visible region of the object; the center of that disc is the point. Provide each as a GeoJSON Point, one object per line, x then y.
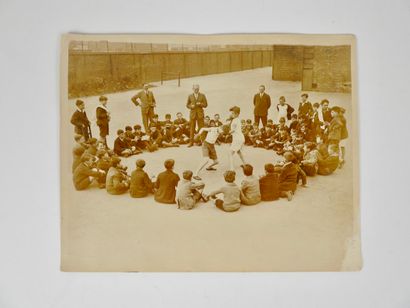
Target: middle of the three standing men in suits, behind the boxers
{"type": "Point", "coordinates": [196, 104]}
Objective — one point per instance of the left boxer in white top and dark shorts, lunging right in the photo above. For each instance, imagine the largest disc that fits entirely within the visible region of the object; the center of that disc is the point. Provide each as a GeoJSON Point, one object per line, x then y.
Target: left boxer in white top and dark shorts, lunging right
{"type": "Point", "coordinates": [208, 148]}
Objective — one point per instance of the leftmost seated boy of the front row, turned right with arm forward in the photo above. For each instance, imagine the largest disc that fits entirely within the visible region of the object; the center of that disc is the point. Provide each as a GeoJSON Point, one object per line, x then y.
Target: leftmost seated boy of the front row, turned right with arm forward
{"type": "Point", "coordinates": [85, 172]}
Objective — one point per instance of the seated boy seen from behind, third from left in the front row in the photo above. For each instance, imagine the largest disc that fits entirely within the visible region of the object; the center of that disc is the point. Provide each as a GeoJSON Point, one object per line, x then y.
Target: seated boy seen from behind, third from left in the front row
{"type": "Point", "coordinates": [141, 184]}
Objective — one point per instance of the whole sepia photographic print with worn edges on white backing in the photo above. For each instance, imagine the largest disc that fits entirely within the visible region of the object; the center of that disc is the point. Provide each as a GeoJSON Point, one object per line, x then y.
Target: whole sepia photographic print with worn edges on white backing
{"type": "Point", "coordinates": [209, 153]}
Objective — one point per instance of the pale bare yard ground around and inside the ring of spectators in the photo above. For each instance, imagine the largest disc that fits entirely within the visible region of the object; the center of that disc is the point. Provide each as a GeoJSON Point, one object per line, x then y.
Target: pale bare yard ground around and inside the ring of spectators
{"type": "Point", "coordinates": [309, 233]}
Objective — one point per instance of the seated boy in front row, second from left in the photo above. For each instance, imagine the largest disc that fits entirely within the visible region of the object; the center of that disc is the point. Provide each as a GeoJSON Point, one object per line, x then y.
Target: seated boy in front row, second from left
{"type": "Point", "coordinates": [117, 181]}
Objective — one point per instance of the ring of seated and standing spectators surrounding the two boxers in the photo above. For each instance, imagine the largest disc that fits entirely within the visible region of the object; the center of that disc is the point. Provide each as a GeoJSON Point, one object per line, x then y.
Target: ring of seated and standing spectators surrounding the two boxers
{"type": "Point", "coordinates": [310, 140]}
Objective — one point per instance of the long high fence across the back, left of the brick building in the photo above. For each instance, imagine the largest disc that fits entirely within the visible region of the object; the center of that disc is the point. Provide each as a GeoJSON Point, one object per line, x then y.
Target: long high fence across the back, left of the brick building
{"type": "Point", "coordinates": [92, 73]}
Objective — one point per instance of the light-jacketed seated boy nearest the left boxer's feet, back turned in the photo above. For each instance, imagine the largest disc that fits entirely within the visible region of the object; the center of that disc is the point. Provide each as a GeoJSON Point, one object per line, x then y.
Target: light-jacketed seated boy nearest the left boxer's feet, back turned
{"type": "Point", "coordinates": [188, 192]}
